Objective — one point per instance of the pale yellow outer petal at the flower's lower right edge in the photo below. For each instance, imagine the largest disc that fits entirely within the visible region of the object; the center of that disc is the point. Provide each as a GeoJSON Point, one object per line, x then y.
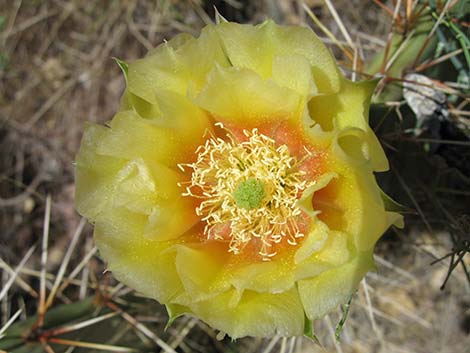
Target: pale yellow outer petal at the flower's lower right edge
{"type": "Point", "coordinates": [323, 293]}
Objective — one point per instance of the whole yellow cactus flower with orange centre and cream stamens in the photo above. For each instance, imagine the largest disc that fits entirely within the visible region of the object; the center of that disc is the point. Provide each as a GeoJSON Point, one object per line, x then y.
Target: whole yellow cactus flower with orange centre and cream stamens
{"type": "Point", "coordinates": [236, 183]}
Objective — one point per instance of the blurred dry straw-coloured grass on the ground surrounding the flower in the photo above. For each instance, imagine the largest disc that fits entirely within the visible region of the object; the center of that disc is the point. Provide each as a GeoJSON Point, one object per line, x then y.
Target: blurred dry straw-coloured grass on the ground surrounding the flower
{"type": "Point", "coordinates": [57, 72]}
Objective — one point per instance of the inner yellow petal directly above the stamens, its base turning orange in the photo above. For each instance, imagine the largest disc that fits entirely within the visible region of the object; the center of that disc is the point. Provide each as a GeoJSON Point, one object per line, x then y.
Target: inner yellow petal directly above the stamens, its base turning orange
{"type": "Point", "coordinates": [241, 96]}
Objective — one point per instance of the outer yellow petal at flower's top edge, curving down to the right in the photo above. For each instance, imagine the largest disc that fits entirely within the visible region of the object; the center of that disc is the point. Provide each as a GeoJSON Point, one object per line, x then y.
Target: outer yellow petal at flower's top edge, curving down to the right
{"type": "Point", "coordinates": [255, 47]}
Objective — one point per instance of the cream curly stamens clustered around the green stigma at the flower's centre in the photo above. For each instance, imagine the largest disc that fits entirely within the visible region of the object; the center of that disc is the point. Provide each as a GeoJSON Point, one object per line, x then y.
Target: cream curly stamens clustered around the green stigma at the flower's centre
{"type": "Point", "coordinates": [248, 192]}
